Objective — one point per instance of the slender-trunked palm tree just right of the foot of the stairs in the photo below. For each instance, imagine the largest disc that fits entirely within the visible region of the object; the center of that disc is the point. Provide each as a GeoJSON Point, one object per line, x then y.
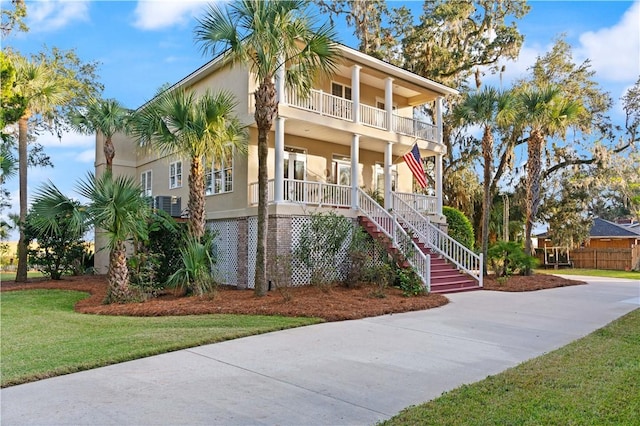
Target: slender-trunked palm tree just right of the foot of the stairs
{"type": "Point", "coordinates": [488, 108]}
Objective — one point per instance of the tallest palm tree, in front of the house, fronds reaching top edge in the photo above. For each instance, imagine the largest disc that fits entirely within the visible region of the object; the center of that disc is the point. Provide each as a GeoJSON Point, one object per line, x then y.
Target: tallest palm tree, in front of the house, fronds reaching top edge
{"type": "Point", "coordinates": [266, 35]}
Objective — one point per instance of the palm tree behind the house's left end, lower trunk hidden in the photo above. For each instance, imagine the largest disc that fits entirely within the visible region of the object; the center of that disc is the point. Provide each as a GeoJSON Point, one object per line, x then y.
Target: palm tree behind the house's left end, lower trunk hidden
{"type": "Point", "coordinates": [105, 116]}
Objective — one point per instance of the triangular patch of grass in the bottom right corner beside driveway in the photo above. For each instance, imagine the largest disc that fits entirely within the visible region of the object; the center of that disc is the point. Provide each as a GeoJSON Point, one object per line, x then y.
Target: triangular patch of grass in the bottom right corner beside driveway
{"type": "Point", "coordinates": [593, 380]}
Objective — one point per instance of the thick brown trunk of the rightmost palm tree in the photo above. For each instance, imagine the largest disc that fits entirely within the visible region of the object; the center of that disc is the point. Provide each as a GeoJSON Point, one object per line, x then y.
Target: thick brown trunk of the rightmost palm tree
{"type": "Point", "coordinates": [534, 167]}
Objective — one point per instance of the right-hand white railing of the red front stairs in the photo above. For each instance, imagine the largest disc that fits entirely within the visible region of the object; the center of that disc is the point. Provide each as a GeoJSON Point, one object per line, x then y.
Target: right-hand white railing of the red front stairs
{"type": "Point", "coordinates": [432, 237]}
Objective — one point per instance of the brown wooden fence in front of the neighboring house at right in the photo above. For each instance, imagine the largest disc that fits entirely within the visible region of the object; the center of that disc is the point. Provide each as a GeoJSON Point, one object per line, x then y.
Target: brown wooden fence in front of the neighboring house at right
{"type": "Point", "coordinates": [601, 258]}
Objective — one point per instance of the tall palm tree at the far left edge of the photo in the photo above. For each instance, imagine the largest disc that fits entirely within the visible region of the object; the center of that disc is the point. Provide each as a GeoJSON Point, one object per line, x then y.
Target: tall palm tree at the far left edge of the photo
{"type": "Point", "coordinates": [41, 91]}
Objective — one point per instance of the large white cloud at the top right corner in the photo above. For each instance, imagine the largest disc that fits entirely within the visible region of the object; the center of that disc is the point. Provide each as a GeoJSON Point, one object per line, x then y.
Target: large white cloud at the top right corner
{"type": "Point", "coordinates": [615, 51]}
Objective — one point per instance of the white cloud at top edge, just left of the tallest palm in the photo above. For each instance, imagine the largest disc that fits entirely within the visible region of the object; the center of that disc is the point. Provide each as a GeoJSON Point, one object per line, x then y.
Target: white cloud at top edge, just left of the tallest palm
{"type": "Point", "coordinates": [159, 14]}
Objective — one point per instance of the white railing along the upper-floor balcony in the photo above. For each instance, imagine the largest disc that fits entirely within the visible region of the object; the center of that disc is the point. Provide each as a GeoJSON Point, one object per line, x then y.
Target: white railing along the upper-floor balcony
{"type": "Point", "coordinates": [323, 103]}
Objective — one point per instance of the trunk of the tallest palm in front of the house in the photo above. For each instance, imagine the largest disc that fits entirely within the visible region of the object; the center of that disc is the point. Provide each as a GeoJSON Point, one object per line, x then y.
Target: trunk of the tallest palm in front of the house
{"type": "Point", "coordinates": [266, 110]}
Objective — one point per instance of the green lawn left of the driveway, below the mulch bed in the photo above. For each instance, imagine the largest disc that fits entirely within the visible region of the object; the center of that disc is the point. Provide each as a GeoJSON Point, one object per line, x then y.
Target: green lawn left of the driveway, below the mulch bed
{"type": "Point", "coordinates": [43, 337]}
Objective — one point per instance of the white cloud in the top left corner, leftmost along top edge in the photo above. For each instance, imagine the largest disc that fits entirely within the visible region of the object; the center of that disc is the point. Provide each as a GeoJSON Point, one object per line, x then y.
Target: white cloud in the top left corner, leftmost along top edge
{"type": "Point", "coordinates": [51, 15]}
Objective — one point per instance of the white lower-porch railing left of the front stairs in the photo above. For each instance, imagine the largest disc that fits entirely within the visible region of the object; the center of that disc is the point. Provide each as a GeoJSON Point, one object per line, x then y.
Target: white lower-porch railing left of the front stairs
{"type": "Point", "coordinates": [306, 192]}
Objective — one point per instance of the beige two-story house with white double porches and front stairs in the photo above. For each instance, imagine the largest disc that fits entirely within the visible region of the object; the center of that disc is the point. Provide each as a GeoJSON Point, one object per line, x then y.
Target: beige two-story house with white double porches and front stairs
{"type": "Point", "coordinates": [326, 152]}
